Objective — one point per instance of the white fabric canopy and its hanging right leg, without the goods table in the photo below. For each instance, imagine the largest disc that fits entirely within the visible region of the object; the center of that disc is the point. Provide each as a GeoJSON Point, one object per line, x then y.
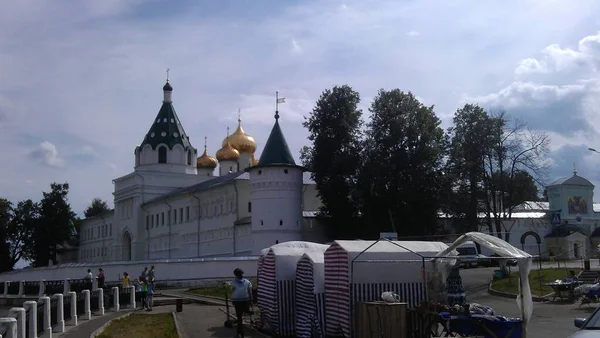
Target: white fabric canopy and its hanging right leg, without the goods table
{"type": "Point", "coordinates": [504, 249]}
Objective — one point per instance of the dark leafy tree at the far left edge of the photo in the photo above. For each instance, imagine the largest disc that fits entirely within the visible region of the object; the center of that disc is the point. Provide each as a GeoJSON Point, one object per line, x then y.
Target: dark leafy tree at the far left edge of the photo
{"type": "Point", "coordinates": [22, 221]}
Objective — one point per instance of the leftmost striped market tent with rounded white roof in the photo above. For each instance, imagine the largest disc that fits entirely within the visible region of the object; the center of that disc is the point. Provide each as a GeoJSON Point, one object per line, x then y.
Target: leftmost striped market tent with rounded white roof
{"type": "Point", "coordinates": [276, 292]}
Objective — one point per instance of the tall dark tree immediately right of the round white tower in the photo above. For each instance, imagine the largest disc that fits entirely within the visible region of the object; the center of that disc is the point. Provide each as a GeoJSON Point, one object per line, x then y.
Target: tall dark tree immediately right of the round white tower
{"type": "Point", "coordinates": [334, 158]}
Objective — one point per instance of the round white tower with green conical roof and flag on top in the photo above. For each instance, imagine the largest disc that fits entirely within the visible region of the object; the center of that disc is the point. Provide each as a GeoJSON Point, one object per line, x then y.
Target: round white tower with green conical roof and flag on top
{"type": "Point", "coordinates": [276, 194]}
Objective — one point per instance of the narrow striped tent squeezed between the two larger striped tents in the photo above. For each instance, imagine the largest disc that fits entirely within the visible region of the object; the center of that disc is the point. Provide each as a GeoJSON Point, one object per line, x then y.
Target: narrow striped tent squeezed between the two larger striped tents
{"type": "Point", "coordinates": [310, 295]}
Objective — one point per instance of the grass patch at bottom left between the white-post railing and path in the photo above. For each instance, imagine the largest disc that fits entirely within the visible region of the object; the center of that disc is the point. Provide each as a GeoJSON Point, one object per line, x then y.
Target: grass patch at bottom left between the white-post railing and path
{"type": "Point", "coordinates": [142, 326]}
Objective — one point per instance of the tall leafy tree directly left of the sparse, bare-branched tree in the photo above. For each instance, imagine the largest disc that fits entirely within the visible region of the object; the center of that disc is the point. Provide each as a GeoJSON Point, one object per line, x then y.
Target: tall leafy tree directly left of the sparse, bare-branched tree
{"type": "Point", "coordinates": [470, 142]}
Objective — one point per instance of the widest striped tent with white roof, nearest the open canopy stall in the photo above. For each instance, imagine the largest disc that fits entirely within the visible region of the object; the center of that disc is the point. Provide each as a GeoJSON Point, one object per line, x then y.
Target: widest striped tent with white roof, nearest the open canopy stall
{"type": "Point", "coordinates": [353, 275]}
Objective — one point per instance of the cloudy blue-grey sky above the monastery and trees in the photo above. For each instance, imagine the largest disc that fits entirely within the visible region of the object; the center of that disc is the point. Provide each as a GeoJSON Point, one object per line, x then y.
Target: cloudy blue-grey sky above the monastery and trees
{"type": "Point", "coordinates": [81, 81]}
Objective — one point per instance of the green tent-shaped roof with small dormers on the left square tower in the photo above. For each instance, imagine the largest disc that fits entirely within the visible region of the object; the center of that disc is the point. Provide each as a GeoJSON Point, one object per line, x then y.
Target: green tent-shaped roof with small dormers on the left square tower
{"type": "Point", "coordinates": [166, 128]}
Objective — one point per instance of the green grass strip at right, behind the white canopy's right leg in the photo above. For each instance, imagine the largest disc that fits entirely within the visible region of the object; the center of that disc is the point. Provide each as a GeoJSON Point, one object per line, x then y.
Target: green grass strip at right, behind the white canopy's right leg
{"type": "Point", "coordinates": [511, 284]}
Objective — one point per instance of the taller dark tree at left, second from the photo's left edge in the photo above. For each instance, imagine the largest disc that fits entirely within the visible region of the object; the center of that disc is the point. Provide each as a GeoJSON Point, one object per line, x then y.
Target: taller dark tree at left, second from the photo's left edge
{"type": "Point", "coordinates": [56, 224]}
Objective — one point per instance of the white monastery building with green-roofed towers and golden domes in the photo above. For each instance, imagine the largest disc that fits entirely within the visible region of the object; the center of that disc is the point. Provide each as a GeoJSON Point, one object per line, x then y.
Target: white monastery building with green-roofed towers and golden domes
{"type": "Point", "coordinates": [173, 206]}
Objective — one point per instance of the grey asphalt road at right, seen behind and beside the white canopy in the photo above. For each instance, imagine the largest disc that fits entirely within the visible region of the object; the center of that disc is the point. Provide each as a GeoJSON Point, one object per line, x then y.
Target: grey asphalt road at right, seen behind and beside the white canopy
{"type": "Point", "coordinates": [550, 320]}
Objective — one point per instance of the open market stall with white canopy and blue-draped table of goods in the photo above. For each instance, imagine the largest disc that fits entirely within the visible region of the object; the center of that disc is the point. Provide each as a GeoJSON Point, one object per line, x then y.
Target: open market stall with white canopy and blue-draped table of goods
{"type": "Point", "coordinates": [485, 322]}
